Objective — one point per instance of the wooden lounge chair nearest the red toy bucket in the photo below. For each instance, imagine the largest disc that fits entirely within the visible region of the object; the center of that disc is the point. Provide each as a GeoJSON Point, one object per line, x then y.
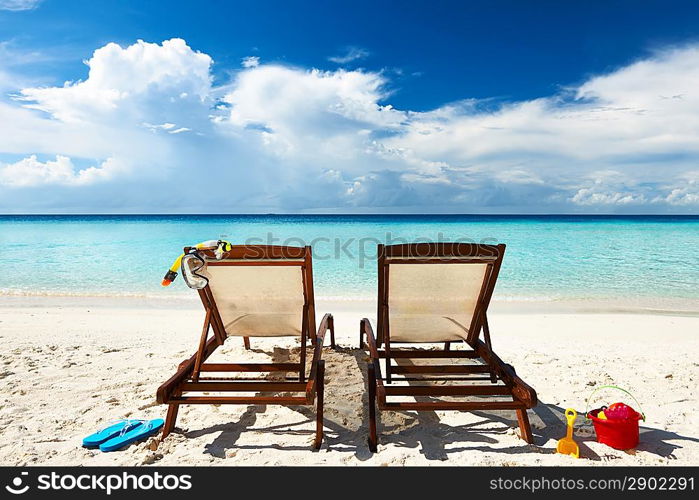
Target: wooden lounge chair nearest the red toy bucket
{"type": "Point", "coordinates": [439, 293]}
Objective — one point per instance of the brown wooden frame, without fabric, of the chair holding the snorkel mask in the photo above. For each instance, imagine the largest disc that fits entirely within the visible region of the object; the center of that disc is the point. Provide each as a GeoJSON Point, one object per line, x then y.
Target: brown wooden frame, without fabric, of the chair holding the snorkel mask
{"type": "Point", "coordinates": [188, 378]}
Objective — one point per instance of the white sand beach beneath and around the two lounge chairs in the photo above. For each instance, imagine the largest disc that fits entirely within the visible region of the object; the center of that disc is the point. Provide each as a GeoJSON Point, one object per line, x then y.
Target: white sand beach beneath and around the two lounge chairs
{"type": "Point", "coordinates": [70, 365]}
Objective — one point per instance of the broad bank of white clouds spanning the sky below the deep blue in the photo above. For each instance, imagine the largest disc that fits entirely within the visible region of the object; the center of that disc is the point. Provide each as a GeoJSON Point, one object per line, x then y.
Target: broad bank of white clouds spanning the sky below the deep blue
{"type": "Point", "coordinates": [149, 122]}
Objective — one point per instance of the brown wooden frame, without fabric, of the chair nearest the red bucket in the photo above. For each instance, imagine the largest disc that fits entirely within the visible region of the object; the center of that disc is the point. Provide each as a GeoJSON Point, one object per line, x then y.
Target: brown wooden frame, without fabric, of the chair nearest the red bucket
{"type": "Point", "coordinates": [498, 379]}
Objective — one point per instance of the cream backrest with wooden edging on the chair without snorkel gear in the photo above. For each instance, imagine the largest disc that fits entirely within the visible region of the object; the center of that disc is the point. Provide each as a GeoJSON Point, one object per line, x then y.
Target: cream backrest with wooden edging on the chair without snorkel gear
{"type": "Point", "coordinates": [435, 292]}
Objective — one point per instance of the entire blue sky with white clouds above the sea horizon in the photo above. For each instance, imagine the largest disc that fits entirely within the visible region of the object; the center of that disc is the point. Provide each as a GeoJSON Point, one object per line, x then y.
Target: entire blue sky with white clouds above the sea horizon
{"type": "Point", "coordinates": [349, 107]}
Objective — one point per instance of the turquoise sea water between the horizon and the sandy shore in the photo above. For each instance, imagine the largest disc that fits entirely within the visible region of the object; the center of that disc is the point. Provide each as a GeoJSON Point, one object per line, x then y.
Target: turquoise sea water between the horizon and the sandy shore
{"type": "Point", "coordinates": [548, 257]}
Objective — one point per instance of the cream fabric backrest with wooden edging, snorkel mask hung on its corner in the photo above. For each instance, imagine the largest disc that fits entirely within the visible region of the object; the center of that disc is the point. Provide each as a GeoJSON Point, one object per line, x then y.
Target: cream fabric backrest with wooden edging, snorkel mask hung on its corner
{"type": "Point", "coordinates": [261, 291]}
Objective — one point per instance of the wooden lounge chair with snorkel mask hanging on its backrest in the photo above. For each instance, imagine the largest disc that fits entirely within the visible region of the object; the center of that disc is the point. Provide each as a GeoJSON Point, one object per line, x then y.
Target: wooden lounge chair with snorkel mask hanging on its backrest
{"type": "Point", "coordinates": [254, 291]}
